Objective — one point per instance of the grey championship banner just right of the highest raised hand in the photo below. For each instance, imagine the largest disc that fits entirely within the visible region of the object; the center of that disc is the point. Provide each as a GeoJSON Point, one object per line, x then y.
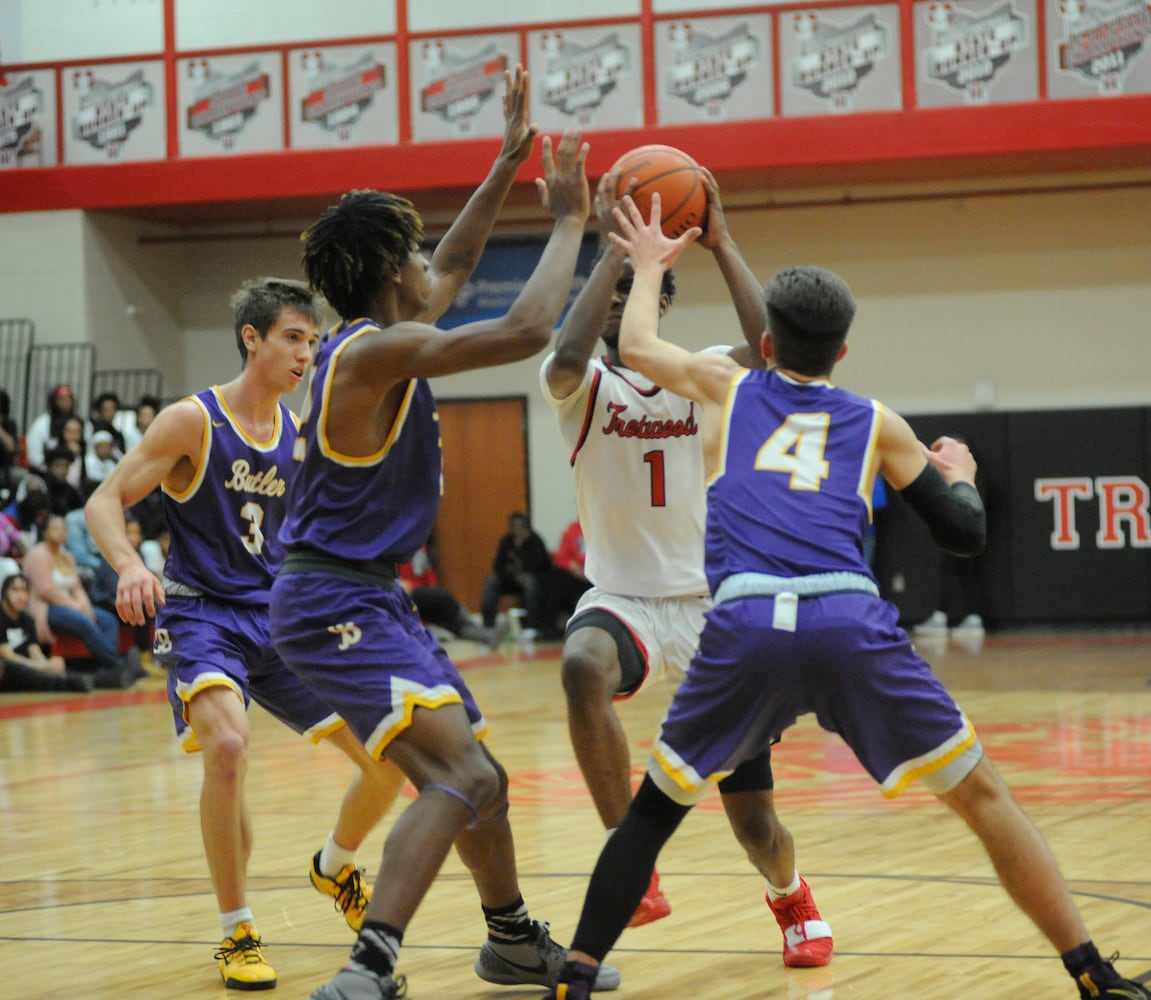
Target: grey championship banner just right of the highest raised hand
{"type": "Point", "coordinates": [586, 78]}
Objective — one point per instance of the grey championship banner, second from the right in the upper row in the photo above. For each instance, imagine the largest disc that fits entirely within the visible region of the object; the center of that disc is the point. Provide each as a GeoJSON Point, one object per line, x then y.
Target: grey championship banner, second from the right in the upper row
{"type": "Point", "coordinates": [979, 54]}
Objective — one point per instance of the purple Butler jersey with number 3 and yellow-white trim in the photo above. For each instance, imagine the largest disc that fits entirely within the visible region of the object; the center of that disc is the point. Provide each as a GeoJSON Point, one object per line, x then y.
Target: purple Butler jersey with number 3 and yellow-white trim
{"type": "Point", "coordinates": [226, 526]}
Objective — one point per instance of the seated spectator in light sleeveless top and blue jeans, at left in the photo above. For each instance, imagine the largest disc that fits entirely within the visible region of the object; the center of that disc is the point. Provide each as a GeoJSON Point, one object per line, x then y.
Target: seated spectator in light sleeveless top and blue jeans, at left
{"type": "Point", "coordinates": [60, 605]}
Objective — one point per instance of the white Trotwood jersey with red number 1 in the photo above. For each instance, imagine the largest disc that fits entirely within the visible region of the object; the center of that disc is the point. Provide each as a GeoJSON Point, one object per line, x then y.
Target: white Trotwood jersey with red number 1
{"type": "Point", "coordinates": [638, 460]}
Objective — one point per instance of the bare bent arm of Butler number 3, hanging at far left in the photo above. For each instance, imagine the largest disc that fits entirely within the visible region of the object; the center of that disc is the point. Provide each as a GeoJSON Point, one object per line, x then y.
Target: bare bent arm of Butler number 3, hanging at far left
{"type": "Point", "coordinates": [173, 441]}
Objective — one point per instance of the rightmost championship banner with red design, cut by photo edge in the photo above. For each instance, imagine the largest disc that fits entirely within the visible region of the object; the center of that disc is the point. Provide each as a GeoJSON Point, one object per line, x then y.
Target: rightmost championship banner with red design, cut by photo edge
{"type": "Point", "coordinates": [1099, 49]}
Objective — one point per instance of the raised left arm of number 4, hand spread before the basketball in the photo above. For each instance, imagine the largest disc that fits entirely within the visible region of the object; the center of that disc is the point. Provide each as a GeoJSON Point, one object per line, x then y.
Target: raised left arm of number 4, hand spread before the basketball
{"type": "Point", "coordinates": [704, 377]}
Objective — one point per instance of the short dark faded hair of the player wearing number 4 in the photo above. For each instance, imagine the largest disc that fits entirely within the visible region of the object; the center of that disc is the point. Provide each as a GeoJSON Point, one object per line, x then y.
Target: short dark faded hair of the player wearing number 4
{"type": "Point", "coordinates": [810, 312]}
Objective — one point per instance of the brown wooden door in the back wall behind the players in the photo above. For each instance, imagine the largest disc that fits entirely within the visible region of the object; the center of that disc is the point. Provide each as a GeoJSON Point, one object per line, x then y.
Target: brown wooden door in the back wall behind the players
{"type": "Point", "coordinates": [485, 479]}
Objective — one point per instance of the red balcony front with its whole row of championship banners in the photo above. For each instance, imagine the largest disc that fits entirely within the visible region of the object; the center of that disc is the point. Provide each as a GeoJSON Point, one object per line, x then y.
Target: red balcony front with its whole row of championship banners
{"type": "Point", "coordinates": [767, 96]}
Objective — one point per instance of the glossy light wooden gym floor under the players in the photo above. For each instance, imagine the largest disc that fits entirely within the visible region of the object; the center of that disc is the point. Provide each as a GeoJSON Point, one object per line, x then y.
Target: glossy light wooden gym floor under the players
{"type": "Point", "coordinates": [105, 891]}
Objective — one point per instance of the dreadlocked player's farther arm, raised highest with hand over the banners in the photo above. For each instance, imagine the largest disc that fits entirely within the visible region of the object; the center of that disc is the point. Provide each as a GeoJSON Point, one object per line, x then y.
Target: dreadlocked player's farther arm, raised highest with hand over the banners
{"type": "Point", "coordinates": [460, 251]}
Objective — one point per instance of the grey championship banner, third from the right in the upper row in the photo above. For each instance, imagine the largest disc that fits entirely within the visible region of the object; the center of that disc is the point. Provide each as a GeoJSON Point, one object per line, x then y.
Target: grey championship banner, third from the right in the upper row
{"type": "Point", "coordinates": [841, 60]}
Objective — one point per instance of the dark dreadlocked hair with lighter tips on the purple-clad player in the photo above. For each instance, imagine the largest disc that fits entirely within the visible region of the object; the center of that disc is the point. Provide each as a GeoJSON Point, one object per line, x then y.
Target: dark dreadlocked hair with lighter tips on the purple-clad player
{"type": "Point", "coordinates": [355, 246]}
